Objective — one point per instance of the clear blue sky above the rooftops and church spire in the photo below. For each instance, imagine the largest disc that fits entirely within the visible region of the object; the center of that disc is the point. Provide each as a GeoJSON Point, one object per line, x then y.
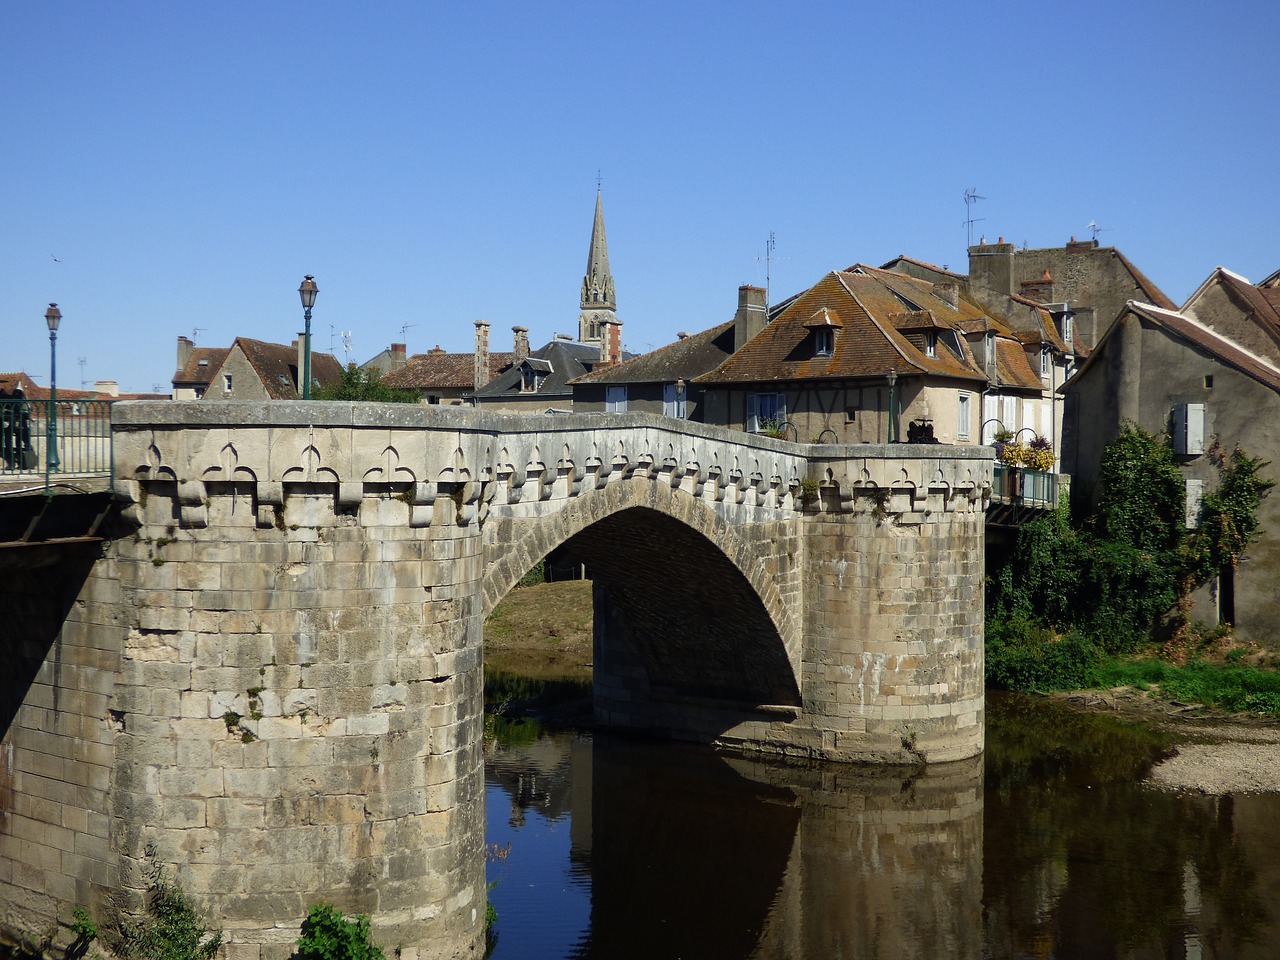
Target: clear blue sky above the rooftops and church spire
{"type": "Point", "coordinates": [433, 164]}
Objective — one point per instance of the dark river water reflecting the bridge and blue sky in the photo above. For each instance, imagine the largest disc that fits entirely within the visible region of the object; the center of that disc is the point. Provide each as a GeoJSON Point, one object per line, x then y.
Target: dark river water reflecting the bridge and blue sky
{"type": "Point", "coordinates": [1048, 847]}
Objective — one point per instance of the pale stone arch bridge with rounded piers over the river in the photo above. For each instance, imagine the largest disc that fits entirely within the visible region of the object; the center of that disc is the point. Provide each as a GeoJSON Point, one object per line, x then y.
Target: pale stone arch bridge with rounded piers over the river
{"type": "Point", "coordinates": [273, 671]}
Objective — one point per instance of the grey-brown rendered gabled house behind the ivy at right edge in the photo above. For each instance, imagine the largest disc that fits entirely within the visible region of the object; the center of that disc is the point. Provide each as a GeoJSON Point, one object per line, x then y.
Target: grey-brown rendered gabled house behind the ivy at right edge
{"type": "Point", "coordinates": [1180, 372]}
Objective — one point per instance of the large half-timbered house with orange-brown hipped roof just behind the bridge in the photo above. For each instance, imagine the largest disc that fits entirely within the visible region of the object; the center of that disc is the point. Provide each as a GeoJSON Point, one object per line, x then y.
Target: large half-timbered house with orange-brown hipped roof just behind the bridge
{"type": "Point", "coordinates": [874, 356]}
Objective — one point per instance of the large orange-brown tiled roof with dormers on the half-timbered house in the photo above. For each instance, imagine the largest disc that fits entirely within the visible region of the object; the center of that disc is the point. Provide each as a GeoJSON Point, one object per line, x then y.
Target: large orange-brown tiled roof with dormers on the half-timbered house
{"type": "Point", "coordinates": [866, 300]}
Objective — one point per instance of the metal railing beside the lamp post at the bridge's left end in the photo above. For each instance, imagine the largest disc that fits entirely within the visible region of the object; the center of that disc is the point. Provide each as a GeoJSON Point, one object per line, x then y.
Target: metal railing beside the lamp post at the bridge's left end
{"type": "Point", "coordinates": [56, 441]}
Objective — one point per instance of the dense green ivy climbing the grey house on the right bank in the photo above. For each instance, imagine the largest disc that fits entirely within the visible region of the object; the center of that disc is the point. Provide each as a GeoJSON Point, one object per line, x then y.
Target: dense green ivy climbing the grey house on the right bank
{"type": "Point", "coordinates": [1128, 572]}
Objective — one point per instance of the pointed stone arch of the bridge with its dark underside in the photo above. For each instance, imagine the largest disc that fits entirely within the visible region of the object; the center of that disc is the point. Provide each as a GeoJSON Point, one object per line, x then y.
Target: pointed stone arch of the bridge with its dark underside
{"type": "Point", "coordinates": [698, 609]}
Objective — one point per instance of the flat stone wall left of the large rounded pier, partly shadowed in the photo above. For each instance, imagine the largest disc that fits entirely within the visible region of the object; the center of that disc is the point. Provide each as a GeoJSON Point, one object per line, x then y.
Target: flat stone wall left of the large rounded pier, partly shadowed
{"type": "Point", "coordinates": [57, 756]}
